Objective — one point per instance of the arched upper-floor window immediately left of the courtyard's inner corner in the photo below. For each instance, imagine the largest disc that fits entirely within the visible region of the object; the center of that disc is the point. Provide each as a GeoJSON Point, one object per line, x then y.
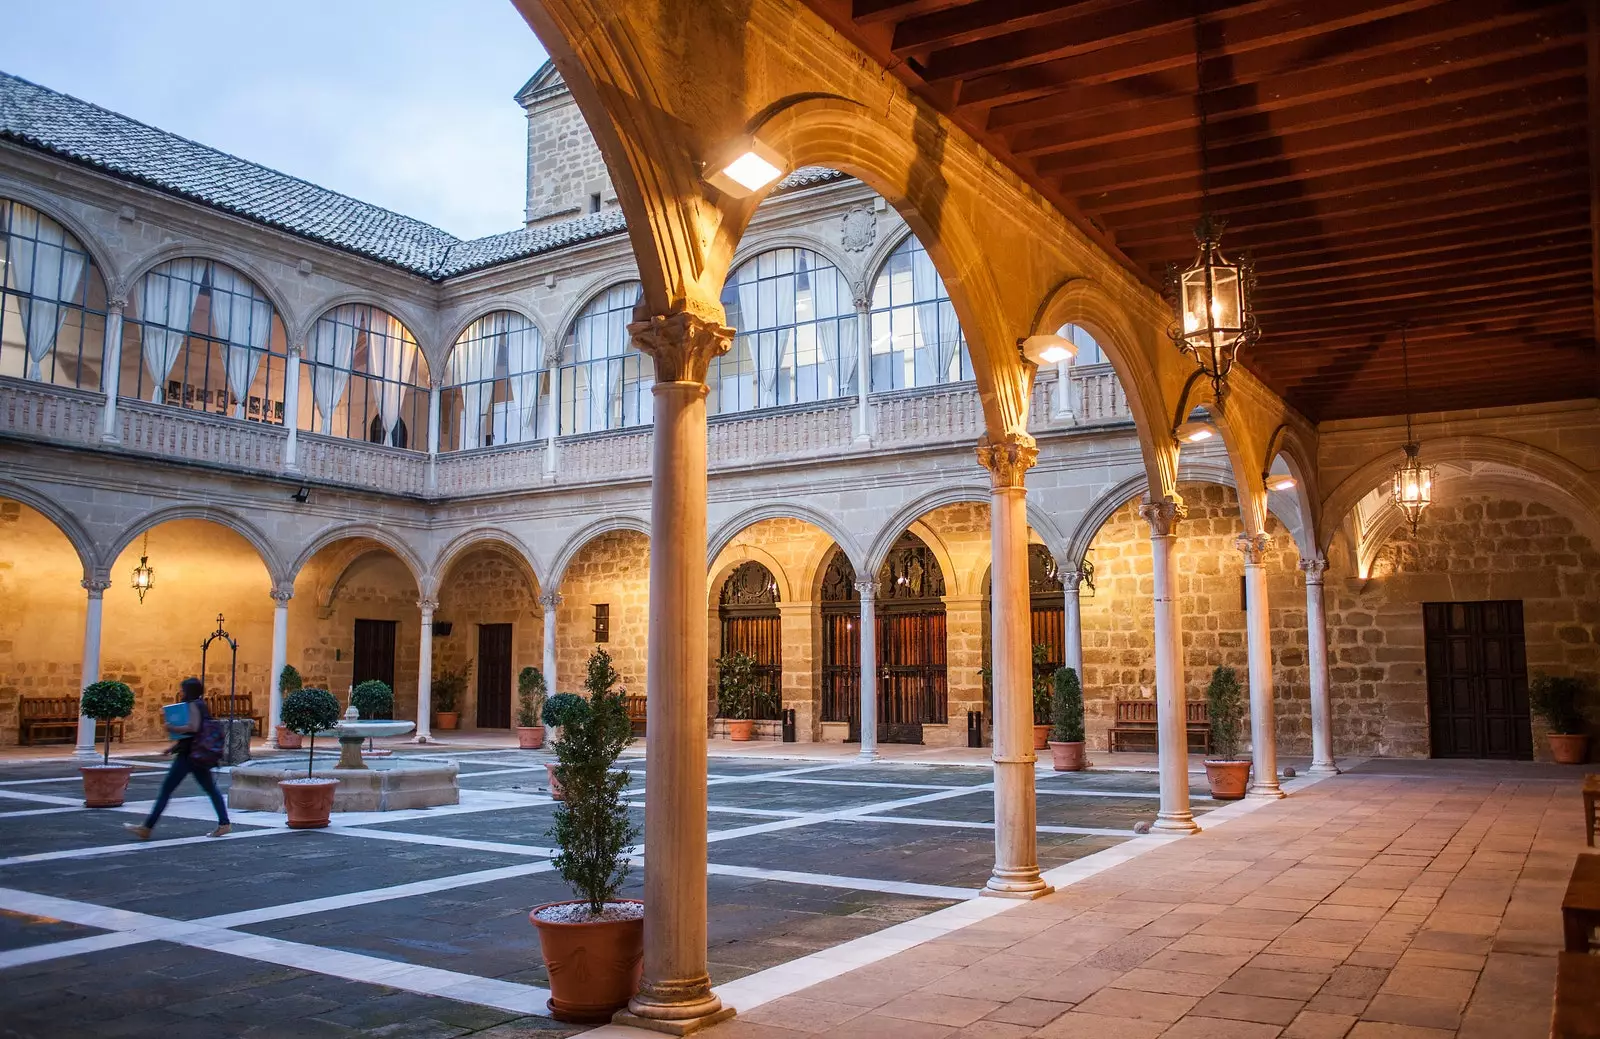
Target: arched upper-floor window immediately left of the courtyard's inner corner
{"type": "Point", "coordinates": [364, 379]}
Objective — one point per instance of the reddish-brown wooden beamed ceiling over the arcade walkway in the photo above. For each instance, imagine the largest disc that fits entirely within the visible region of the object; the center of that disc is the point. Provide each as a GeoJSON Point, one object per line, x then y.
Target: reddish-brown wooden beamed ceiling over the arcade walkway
{"type": "Point", "coordinates": [1383, 161]}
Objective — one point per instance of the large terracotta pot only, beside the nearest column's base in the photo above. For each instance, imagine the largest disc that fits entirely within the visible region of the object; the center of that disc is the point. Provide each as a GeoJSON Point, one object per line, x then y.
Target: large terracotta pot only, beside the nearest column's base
{"type": "Point", "coordinates": [594, 966]}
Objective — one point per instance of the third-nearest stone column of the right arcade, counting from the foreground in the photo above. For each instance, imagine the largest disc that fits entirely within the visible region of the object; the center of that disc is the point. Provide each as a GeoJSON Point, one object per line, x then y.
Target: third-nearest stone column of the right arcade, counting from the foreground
{"type": "Point", "coordinates": [1170, 704]}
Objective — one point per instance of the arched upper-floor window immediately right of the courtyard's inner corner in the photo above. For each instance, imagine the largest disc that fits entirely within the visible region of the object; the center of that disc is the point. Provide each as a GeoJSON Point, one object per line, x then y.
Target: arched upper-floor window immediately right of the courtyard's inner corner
{"type": "Point", "coordinates": [494, 385]}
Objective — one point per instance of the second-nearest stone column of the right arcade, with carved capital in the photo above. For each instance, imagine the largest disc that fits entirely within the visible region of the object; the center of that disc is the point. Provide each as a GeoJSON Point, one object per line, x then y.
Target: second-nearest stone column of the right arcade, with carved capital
{"type": "Point", "coordinates": [1017, 816]}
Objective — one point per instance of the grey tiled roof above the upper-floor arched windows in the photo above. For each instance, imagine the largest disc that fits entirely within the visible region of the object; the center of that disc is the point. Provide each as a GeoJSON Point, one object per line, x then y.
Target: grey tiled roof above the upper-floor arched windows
{"type": "Point", "coordinates": [100, 138]}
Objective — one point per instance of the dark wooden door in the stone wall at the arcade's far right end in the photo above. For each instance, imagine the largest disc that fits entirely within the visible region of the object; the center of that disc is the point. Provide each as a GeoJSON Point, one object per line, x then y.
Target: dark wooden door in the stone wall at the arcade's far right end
{"type": "Point", "coordinates": [1478, 680]}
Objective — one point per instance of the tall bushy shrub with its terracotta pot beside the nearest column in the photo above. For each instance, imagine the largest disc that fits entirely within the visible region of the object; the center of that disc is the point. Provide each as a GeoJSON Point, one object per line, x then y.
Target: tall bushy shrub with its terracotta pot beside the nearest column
{"type": "Point", "coordinates": [593, 945]}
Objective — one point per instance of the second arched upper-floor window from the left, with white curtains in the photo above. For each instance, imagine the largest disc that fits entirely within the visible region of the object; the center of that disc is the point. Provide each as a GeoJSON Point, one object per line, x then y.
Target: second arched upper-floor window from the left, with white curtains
{"type": "Point", "coordinates": [202, 335]}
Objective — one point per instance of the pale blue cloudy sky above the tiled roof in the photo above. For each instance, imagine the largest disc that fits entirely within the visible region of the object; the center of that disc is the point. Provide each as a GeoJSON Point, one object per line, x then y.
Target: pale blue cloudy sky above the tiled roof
{"type": "Point", "coordinates": [401, 103]}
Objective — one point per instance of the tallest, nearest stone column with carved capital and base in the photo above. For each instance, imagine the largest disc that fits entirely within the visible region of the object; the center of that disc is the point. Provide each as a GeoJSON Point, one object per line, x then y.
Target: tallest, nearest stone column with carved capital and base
{"type": "Point", "coordinates": [674, 993]}
